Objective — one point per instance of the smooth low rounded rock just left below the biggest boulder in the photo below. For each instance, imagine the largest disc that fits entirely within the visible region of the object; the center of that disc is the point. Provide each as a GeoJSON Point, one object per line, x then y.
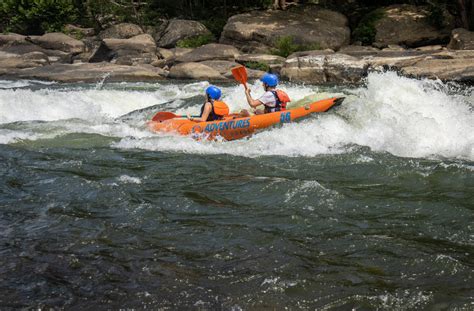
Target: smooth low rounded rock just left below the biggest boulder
{"type": "Point", "coordinates": [212, 51]}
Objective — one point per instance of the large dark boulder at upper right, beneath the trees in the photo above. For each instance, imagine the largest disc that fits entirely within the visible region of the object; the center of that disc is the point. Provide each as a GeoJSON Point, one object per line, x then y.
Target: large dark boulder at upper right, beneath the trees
{"type": "Point", "coordinates": [407, 25]}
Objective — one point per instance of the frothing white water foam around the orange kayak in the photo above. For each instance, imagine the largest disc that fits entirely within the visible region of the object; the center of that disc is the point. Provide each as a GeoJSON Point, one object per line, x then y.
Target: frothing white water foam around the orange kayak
{"type": "Point", "coordinates": [405, 117]}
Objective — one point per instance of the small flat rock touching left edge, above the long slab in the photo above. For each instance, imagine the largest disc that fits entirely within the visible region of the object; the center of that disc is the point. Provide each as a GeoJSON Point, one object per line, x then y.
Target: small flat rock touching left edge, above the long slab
{"type": "Point", "coordinates": [10, 61]}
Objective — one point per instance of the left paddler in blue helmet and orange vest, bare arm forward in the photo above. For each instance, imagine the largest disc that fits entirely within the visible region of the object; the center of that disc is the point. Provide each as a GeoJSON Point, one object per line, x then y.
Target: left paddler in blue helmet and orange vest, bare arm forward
{"type": "Point", "coordinates": [213, 109]}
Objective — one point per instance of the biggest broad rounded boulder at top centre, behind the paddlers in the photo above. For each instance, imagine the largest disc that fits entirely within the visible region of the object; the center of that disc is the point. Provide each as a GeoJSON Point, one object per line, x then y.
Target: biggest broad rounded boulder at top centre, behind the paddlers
{"type": "Point", "coordinates": [307, 26]}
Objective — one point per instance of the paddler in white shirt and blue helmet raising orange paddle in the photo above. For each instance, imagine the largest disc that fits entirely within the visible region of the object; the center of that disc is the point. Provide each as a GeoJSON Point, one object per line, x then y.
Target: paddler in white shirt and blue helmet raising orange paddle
{"type": "Point", "coordinates": [270, 99]}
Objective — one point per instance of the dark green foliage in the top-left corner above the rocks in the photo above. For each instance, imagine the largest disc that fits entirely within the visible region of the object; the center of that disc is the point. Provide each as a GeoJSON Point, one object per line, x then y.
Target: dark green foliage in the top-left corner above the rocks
{"type": "Point", "coordinates": [36, 16]}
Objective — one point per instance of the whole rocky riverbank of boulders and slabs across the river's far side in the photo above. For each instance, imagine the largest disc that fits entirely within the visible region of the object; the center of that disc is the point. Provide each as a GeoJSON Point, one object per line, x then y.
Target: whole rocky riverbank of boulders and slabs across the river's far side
{"type": "Point", "coordinates": [404, 41]}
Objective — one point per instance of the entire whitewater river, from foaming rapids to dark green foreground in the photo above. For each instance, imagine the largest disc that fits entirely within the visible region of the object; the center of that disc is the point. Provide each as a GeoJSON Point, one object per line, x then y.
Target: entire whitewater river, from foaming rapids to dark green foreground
{"type": "Point", "coordinates": [368, 207]}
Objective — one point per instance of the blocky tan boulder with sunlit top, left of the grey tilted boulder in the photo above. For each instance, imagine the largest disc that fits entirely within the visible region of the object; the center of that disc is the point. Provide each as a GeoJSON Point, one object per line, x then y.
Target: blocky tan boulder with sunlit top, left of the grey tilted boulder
{"type": "Point", "coordinates": [140, 49]}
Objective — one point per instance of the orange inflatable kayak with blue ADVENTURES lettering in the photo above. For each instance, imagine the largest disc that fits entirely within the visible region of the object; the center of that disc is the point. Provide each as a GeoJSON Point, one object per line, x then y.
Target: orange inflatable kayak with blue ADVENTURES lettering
{"type": "Point", "coordinates": [235, 127]}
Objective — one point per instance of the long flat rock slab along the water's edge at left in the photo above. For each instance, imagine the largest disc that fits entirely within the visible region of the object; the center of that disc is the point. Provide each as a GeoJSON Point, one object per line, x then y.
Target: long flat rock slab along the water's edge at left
{"type": "Point", "coordinates": [91, 73]}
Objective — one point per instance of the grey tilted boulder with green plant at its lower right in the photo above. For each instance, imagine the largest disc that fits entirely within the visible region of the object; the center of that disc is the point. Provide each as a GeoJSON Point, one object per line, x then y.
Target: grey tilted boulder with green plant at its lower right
{"type": "Point", "coordinates": [178, 29]}
